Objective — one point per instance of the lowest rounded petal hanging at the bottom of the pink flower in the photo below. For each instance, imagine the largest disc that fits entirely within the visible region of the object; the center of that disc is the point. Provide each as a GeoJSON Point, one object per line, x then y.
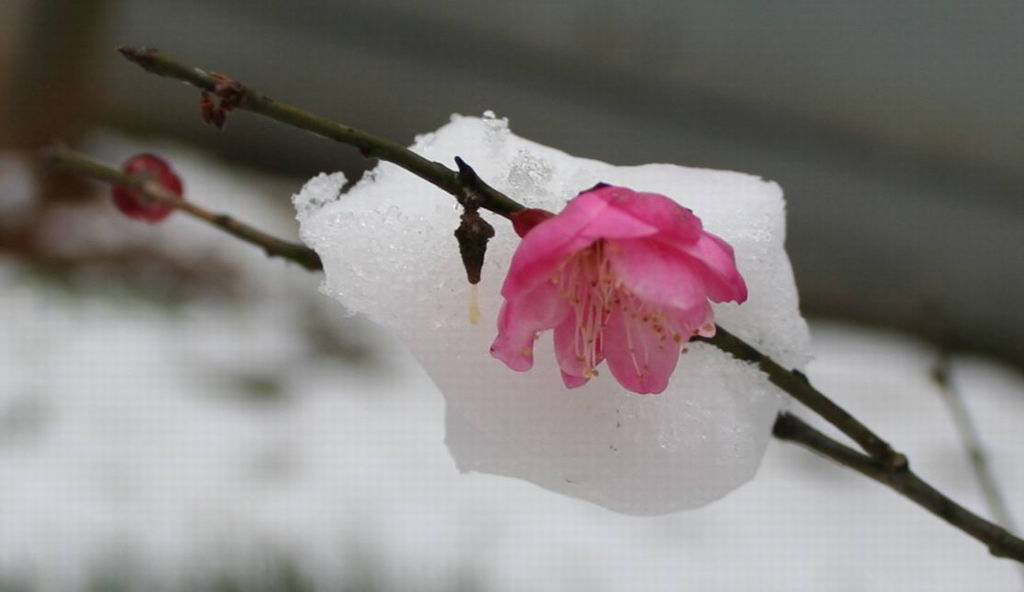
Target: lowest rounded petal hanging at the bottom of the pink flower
{"type": "Point", "coordinates": [641, 358]}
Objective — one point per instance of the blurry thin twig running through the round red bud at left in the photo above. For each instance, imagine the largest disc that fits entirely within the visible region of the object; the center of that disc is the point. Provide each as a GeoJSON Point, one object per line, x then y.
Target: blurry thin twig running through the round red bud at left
{"type": "Point", "coordinates": [78, 163]}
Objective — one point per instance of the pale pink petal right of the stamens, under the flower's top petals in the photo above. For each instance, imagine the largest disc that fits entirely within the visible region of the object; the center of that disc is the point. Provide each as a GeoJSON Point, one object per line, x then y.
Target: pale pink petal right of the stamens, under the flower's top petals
{"type": "Point", "coordinates": [658, 274]}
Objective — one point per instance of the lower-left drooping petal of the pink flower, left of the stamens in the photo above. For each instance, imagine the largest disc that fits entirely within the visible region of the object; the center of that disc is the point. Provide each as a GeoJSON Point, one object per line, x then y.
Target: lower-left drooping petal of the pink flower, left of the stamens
{"type": "Point", "coordinates": [520, 322]}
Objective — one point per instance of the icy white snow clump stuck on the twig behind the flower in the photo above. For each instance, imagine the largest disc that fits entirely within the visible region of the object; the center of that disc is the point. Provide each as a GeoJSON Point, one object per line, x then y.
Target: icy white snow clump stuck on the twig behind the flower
{"type": "Point", "coordinates": [390, 253]}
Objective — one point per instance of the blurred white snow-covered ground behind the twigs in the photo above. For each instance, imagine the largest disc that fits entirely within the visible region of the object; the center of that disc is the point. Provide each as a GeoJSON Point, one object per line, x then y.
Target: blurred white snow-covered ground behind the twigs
{"type": "Point", "coordinates": [268, 443]}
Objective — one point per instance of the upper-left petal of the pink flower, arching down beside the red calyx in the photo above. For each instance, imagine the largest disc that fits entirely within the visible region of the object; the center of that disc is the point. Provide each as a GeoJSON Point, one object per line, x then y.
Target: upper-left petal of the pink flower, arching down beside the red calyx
{"type": "Point", "coordinates": [586, 219]}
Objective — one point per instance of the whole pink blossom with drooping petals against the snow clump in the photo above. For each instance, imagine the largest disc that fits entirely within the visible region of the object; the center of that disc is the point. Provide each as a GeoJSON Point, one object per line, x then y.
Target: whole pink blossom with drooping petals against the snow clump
{"type": "Point", "coordinates": [620, 276]}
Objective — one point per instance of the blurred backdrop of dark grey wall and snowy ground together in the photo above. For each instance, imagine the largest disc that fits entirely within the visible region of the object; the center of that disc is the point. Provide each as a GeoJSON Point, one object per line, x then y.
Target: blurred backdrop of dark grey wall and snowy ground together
{"type": "Point", "coordinates": [143, 367]}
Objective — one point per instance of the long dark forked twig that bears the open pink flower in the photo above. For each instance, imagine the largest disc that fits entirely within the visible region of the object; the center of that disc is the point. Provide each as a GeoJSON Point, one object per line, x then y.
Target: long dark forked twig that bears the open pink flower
{"type": "Point", "coordinates": [884, 464]}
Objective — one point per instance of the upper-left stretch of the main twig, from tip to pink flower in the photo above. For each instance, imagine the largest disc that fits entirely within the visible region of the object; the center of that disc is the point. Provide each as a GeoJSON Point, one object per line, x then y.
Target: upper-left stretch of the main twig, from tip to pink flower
{"type": "Point", "coordinates": [465, 186]}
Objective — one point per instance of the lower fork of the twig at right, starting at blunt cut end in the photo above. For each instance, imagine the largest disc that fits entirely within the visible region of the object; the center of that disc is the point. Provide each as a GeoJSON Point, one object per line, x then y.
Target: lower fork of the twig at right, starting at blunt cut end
{"type": "Point", "coordinates": [1000, 542]}
